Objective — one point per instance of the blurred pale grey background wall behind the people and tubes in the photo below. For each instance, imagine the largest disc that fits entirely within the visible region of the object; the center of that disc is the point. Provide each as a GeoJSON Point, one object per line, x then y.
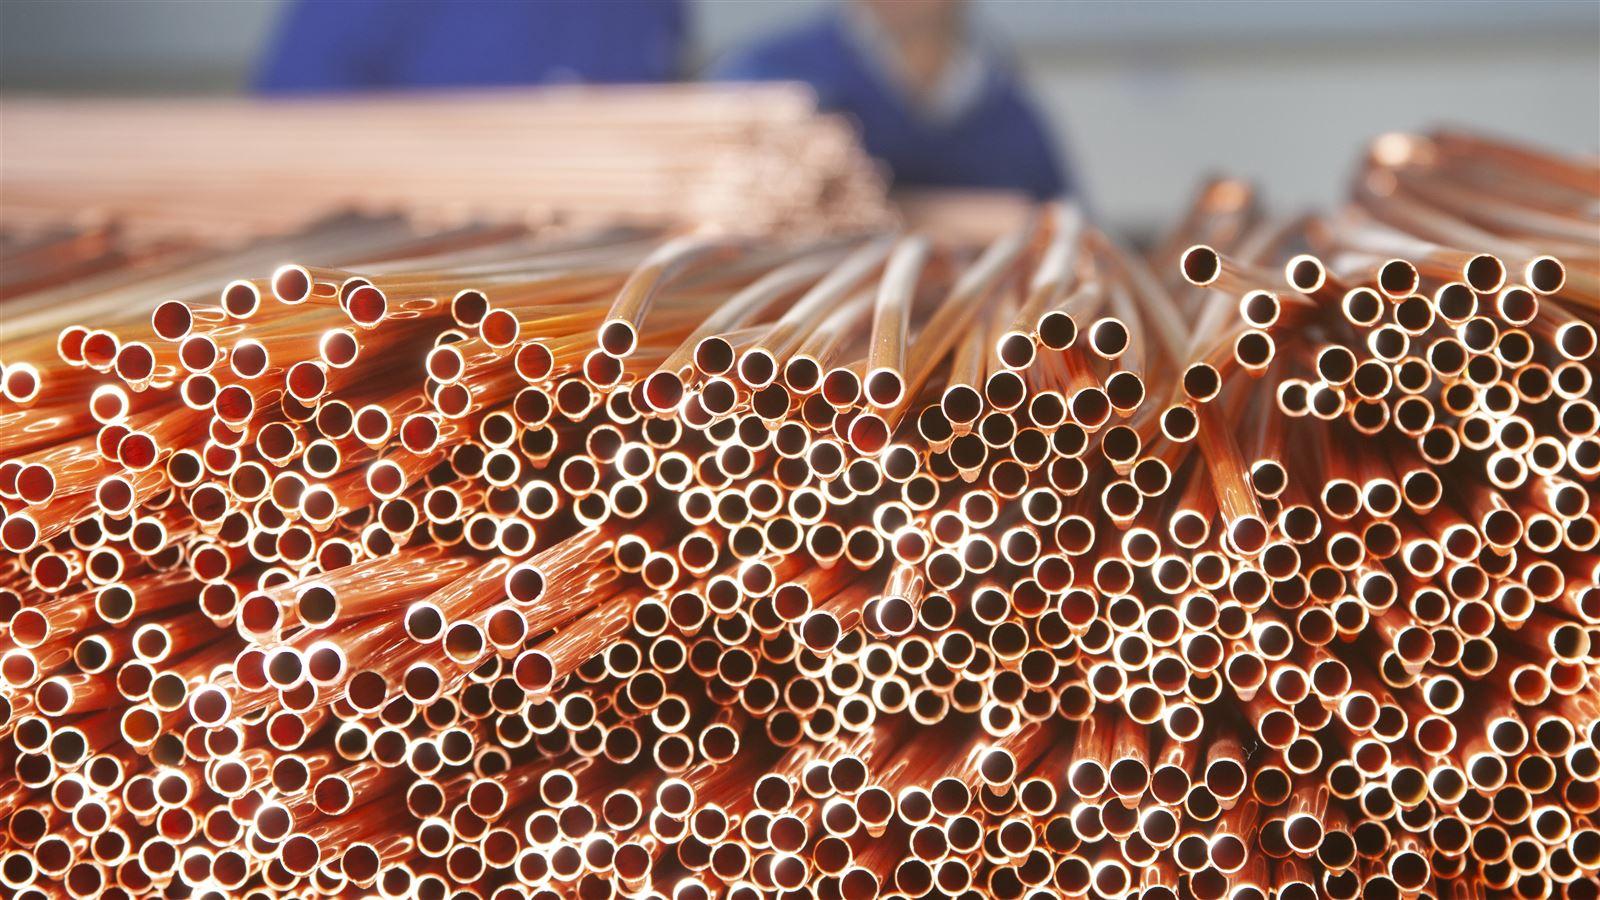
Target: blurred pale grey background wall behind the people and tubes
{"type": "Point", "coordinates": [1143, 98]}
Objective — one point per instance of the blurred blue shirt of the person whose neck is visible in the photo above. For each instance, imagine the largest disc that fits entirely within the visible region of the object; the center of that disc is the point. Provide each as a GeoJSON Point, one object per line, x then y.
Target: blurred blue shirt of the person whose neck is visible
{"type": "Point", "coordinates": [994, 142]}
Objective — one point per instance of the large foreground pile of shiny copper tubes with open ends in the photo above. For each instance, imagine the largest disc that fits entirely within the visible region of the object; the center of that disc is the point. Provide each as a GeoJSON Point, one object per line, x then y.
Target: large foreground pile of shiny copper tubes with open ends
{"type": "Point", "coordinates": [582, 565]}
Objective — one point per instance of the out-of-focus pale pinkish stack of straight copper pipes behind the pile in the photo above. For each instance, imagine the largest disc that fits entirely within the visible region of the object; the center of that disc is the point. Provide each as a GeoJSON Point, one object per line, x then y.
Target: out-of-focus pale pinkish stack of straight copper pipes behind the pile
{"type": "Point", "coordinates": [753, 158]}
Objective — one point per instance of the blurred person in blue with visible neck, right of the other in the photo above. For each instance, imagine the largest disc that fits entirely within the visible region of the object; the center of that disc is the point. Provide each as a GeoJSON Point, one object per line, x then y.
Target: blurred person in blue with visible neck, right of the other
{"type": "Point", "coordinates": [934, 98]}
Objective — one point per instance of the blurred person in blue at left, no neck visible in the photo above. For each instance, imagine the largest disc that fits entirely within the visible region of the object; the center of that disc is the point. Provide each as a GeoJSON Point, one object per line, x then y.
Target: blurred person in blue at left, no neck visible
{"type": "Point", "coordinates": [350, 46]}
